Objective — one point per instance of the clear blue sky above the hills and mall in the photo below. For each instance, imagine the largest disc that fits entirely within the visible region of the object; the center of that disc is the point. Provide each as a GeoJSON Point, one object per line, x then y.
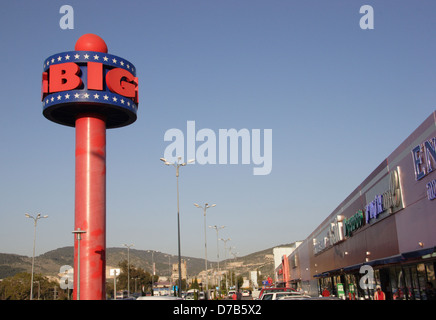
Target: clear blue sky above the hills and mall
{"type": "Point", "coordinates": [338, 99]}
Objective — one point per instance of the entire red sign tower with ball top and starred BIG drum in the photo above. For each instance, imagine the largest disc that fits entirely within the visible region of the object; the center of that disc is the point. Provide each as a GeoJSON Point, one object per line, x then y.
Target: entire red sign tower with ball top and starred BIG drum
{"type": "Point", "coordinates": [90, 90]}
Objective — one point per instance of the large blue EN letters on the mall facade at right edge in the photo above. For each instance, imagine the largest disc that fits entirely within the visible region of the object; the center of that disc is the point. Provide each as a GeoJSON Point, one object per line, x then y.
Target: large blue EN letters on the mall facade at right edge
{"type": "Point", "coordinates": [424, 158]}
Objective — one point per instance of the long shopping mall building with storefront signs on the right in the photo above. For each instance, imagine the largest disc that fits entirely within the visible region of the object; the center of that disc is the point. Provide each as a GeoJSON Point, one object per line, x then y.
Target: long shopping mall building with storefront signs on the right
{"type": "Point", "coordinates": [383, 233]}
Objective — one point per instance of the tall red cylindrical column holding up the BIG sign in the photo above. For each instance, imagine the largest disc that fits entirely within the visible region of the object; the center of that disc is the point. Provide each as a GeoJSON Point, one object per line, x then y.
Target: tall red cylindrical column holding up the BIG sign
{"type": "Point", "coordinates": [90, 206]}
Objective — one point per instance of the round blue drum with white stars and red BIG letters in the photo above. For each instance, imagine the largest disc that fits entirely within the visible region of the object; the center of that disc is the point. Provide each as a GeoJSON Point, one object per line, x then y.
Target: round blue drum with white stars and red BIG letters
{"type": "Point", "coordinates": [75, 80]}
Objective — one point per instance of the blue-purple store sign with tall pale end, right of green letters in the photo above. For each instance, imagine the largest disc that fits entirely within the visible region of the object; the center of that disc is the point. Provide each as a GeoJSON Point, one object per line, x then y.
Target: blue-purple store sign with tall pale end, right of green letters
{"type": "Point", "coordinates": [390, 200]}
